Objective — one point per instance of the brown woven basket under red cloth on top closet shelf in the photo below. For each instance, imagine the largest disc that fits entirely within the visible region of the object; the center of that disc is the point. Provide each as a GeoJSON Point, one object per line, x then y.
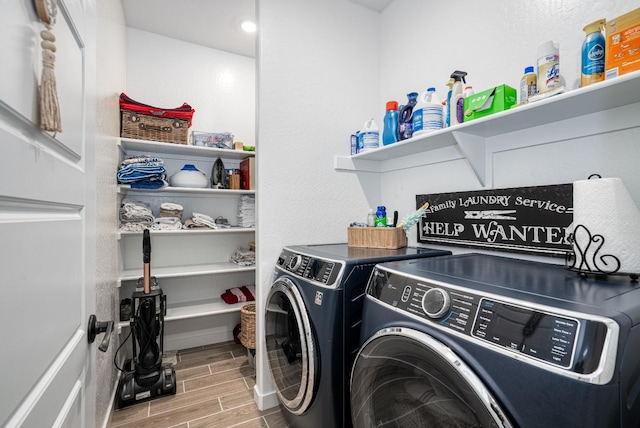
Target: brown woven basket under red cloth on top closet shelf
{"type": "Point", "coordinates": [146, 127]}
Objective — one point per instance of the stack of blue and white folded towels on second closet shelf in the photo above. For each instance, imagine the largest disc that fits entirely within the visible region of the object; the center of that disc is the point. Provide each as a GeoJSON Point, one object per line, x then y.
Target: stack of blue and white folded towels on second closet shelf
{"type": "Point", "coordinates": [142, 172]}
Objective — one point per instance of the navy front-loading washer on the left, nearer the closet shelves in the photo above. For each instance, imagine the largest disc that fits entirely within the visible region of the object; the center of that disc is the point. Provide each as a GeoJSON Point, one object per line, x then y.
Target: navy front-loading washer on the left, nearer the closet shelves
{"type": "Point", "coordinates": [313, 315]}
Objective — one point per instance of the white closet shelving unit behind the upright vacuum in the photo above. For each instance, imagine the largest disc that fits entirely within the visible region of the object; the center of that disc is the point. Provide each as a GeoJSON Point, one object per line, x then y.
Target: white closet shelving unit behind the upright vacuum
{"type": "Point", "coordinates": [193, 266]}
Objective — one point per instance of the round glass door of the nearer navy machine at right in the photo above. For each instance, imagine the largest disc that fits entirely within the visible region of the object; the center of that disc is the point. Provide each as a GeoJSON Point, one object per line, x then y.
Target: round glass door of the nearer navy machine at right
{"type": "Point", "coordinates": [406, 378]}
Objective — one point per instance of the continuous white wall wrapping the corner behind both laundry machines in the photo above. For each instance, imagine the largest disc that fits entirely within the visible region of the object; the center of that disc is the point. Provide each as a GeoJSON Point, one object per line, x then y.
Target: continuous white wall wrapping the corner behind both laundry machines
{"type": "Point", "coordinates": [326, 66]}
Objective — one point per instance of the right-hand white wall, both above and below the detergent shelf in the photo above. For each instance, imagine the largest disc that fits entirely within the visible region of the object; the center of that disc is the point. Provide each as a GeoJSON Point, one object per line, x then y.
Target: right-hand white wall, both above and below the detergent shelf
{"type": "Point", "coordinates": [493, 42]}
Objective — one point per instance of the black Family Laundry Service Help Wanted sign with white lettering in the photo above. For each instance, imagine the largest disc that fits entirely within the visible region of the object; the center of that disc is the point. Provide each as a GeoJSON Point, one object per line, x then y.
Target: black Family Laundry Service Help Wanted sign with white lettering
{"type": "Point", "coordinates": [524, 219]}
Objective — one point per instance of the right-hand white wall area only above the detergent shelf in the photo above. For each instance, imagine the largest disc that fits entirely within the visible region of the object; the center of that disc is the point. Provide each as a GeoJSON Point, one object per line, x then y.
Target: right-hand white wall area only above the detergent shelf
{"type": "Point", "coordinates": [422, 42]}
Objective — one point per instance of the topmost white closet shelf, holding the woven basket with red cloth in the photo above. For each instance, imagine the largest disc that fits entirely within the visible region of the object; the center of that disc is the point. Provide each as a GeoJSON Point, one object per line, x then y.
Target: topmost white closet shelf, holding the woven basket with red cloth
{"type": "Point", "coordinates": [129, 144]}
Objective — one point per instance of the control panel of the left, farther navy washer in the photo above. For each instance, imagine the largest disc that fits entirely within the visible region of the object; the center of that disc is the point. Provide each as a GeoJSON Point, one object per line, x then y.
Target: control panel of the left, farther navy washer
{"type": "Point", "coordinates": [325, 272]}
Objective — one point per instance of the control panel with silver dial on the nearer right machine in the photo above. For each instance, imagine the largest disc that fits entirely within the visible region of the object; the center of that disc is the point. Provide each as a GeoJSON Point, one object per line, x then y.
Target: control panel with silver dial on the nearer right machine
{"type": "Point", "coordinates": [513, 326]}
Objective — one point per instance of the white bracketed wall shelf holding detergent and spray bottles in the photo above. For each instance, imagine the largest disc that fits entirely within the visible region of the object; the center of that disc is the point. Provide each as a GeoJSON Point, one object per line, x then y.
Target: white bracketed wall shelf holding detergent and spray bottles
{"type": "Point", "coordinates": [471, 136]}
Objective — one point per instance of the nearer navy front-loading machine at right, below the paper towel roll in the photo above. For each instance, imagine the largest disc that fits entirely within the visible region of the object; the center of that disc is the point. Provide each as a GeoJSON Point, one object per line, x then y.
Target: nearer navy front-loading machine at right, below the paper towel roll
{"type": "Point", "coordinates": [476, 340]}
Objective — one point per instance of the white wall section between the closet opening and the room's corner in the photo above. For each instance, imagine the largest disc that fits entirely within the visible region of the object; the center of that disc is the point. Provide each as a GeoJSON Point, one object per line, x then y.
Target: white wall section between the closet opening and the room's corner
{"type": "Point", "coordinates": [318, 81]}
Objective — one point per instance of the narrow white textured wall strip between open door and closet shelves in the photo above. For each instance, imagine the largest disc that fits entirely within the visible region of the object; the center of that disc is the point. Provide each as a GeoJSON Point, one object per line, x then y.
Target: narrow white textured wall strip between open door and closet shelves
{"type": "Point", "coordinates": [110, 81]}
